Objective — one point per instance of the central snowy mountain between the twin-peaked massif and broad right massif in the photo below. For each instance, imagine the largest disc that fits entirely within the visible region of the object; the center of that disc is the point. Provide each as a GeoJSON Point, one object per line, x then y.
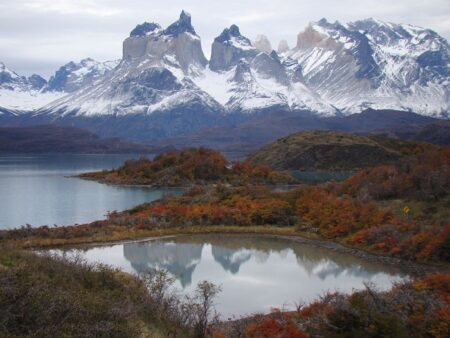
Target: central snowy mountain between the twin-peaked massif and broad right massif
{"type": "Point", "coordinates": [244, 79]}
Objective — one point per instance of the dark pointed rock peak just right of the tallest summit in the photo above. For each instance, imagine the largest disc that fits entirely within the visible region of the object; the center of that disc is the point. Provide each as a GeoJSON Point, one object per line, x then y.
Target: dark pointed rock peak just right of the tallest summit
{"type": "Point", "coordinates": [230, 47]}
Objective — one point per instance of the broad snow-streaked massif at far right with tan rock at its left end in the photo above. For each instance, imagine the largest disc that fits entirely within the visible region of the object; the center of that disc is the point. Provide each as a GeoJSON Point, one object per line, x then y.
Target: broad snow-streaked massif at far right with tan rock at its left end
{"type": "Point", "coordinates": [372, 64]}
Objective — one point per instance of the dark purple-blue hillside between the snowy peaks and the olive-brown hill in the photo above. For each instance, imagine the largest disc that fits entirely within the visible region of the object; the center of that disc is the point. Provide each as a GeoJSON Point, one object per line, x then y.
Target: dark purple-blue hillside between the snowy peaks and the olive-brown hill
{"type": "Point", "coordinates": [248, 136]}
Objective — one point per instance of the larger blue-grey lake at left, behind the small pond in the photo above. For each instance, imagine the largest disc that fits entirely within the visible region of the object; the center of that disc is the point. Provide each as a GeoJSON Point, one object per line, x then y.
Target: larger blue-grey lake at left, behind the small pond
{"type": "Point", "coordinates": [38, 190]}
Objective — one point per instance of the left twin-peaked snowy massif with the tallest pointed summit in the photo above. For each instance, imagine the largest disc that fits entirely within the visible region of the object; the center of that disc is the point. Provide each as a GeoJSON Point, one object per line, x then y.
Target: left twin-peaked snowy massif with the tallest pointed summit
{"type": "Point", "coordinates": [153, 76]}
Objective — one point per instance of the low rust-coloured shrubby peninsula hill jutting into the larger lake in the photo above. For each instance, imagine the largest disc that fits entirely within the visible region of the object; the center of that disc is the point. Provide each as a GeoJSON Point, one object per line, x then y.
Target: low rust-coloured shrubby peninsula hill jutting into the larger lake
{"type": "Point", "coordinates": [188, 167]}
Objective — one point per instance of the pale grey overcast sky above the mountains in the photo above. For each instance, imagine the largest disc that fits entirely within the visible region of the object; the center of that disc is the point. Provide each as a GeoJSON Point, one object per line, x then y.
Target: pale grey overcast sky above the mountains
{"type": "Point", "coordinates": [38, 36]}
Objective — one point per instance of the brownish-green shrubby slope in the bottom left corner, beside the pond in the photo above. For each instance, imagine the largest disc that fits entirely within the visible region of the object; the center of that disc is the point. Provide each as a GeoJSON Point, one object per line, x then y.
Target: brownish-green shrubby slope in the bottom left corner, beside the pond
{"type": "Point", "coordinates": [49, 296]}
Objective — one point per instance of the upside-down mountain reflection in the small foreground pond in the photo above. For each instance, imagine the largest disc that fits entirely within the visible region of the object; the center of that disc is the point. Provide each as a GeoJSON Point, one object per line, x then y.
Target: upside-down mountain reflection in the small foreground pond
{"type": "Point", "coordinates": [181, 255]}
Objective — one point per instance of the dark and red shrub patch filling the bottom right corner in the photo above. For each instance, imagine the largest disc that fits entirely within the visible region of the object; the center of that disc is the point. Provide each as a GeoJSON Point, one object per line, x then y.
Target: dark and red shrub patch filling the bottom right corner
{"type": "Point", "coordinates": [410, 309]}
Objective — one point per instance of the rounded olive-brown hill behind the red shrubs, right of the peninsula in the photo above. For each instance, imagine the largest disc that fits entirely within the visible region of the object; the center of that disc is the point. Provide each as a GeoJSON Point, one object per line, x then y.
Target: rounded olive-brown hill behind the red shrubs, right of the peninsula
{"type": "Point", "coordinates": [329, 150]}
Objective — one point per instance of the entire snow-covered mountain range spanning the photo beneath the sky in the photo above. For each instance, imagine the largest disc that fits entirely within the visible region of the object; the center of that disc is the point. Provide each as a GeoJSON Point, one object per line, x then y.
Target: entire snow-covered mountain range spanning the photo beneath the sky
{"type": "Point", "coordinates": [165, 87]}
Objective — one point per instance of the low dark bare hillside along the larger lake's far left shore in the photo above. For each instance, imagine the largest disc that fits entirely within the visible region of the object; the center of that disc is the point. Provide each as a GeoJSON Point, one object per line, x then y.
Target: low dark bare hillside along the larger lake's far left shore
{"type": "Point", "coordinates": [56, 139]}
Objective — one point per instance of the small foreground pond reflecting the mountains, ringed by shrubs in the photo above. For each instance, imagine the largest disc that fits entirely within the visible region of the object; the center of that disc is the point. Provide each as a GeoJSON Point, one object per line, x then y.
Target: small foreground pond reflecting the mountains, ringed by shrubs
{"type": "Point", "coordinates": [256, 273]}
